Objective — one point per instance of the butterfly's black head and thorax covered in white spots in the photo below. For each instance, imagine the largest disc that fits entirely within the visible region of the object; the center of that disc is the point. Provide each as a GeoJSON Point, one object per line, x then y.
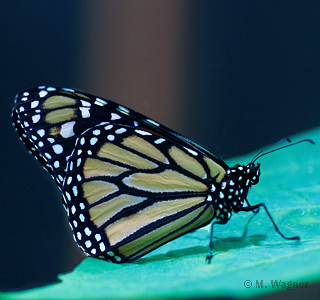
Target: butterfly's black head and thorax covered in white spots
{"type": "Point", "coordinates": [231, 193]}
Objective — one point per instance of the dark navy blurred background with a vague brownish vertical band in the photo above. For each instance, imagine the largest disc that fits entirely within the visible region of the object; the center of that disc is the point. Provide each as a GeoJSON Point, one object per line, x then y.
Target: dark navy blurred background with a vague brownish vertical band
{"type": "Point", "coordinates": [231, 75]}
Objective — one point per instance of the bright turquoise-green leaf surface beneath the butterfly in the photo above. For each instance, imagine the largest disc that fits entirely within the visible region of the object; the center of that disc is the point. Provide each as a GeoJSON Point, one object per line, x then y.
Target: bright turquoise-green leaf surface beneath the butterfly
{"type": "Point", "coordinates": [244, 252]}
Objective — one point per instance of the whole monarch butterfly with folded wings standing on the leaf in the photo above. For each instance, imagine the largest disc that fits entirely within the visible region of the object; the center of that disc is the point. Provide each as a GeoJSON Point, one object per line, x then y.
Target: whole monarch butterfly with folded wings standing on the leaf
{"type": "Point", "coordinates": [129, 184]}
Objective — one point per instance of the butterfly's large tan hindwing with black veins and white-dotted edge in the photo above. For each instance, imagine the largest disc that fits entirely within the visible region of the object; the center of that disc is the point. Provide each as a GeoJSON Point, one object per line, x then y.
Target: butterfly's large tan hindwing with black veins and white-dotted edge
{"type": "Point", "coordinates": [129, 191]}
